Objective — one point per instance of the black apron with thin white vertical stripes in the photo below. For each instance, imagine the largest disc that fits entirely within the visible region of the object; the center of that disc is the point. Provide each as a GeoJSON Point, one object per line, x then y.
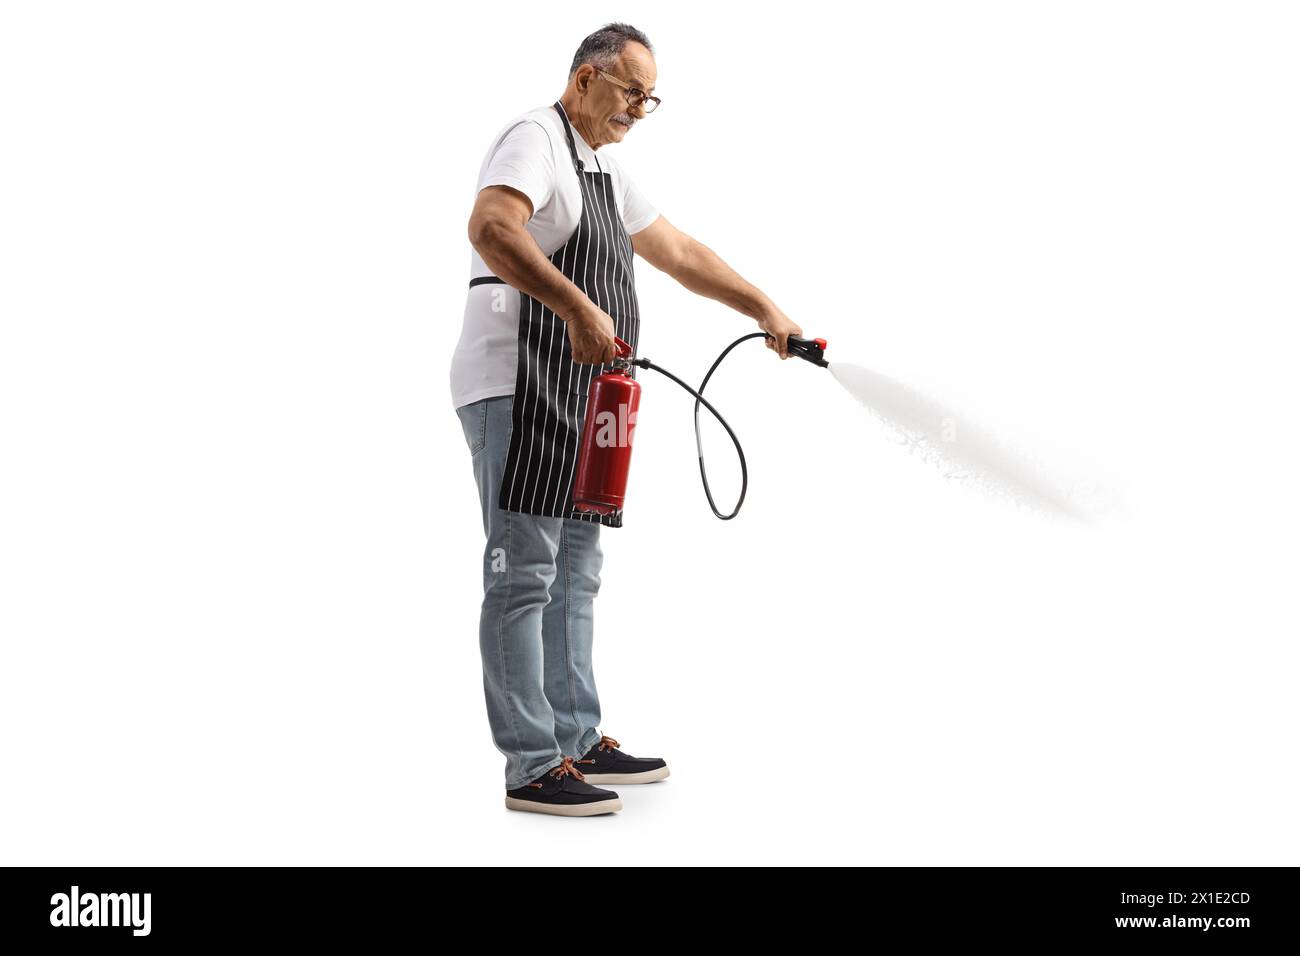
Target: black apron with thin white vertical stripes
{"type": "Point", "coordinates": [551, 388]}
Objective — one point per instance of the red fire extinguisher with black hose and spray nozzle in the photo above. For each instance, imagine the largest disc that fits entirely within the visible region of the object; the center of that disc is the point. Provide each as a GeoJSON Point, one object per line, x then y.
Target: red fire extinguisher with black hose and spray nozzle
{"type": "Point", "coordinates": [613, 403]}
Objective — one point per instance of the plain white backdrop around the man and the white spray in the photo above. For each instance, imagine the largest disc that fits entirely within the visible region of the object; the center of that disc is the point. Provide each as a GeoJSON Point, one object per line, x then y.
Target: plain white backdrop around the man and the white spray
{"type": "Point", "coordinates": [239, 530]}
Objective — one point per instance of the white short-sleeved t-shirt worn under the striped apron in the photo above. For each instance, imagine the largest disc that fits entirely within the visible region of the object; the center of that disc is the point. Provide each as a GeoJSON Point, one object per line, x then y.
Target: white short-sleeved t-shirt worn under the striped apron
{"type": "Point", "coordinates": [531, 154]}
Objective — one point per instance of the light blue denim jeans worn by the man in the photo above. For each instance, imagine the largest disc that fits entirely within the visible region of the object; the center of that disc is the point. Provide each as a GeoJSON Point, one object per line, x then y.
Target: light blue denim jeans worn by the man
{"type": "Point", "coordinates": [541, 577]}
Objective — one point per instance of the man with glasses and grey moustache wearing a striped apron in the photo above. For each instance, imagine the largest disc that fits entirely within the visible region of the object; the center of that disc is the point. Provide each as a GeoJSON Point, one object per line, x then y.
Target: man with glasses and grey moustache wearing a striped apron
{"type": "Point", "coordinates": [553, 230]}
